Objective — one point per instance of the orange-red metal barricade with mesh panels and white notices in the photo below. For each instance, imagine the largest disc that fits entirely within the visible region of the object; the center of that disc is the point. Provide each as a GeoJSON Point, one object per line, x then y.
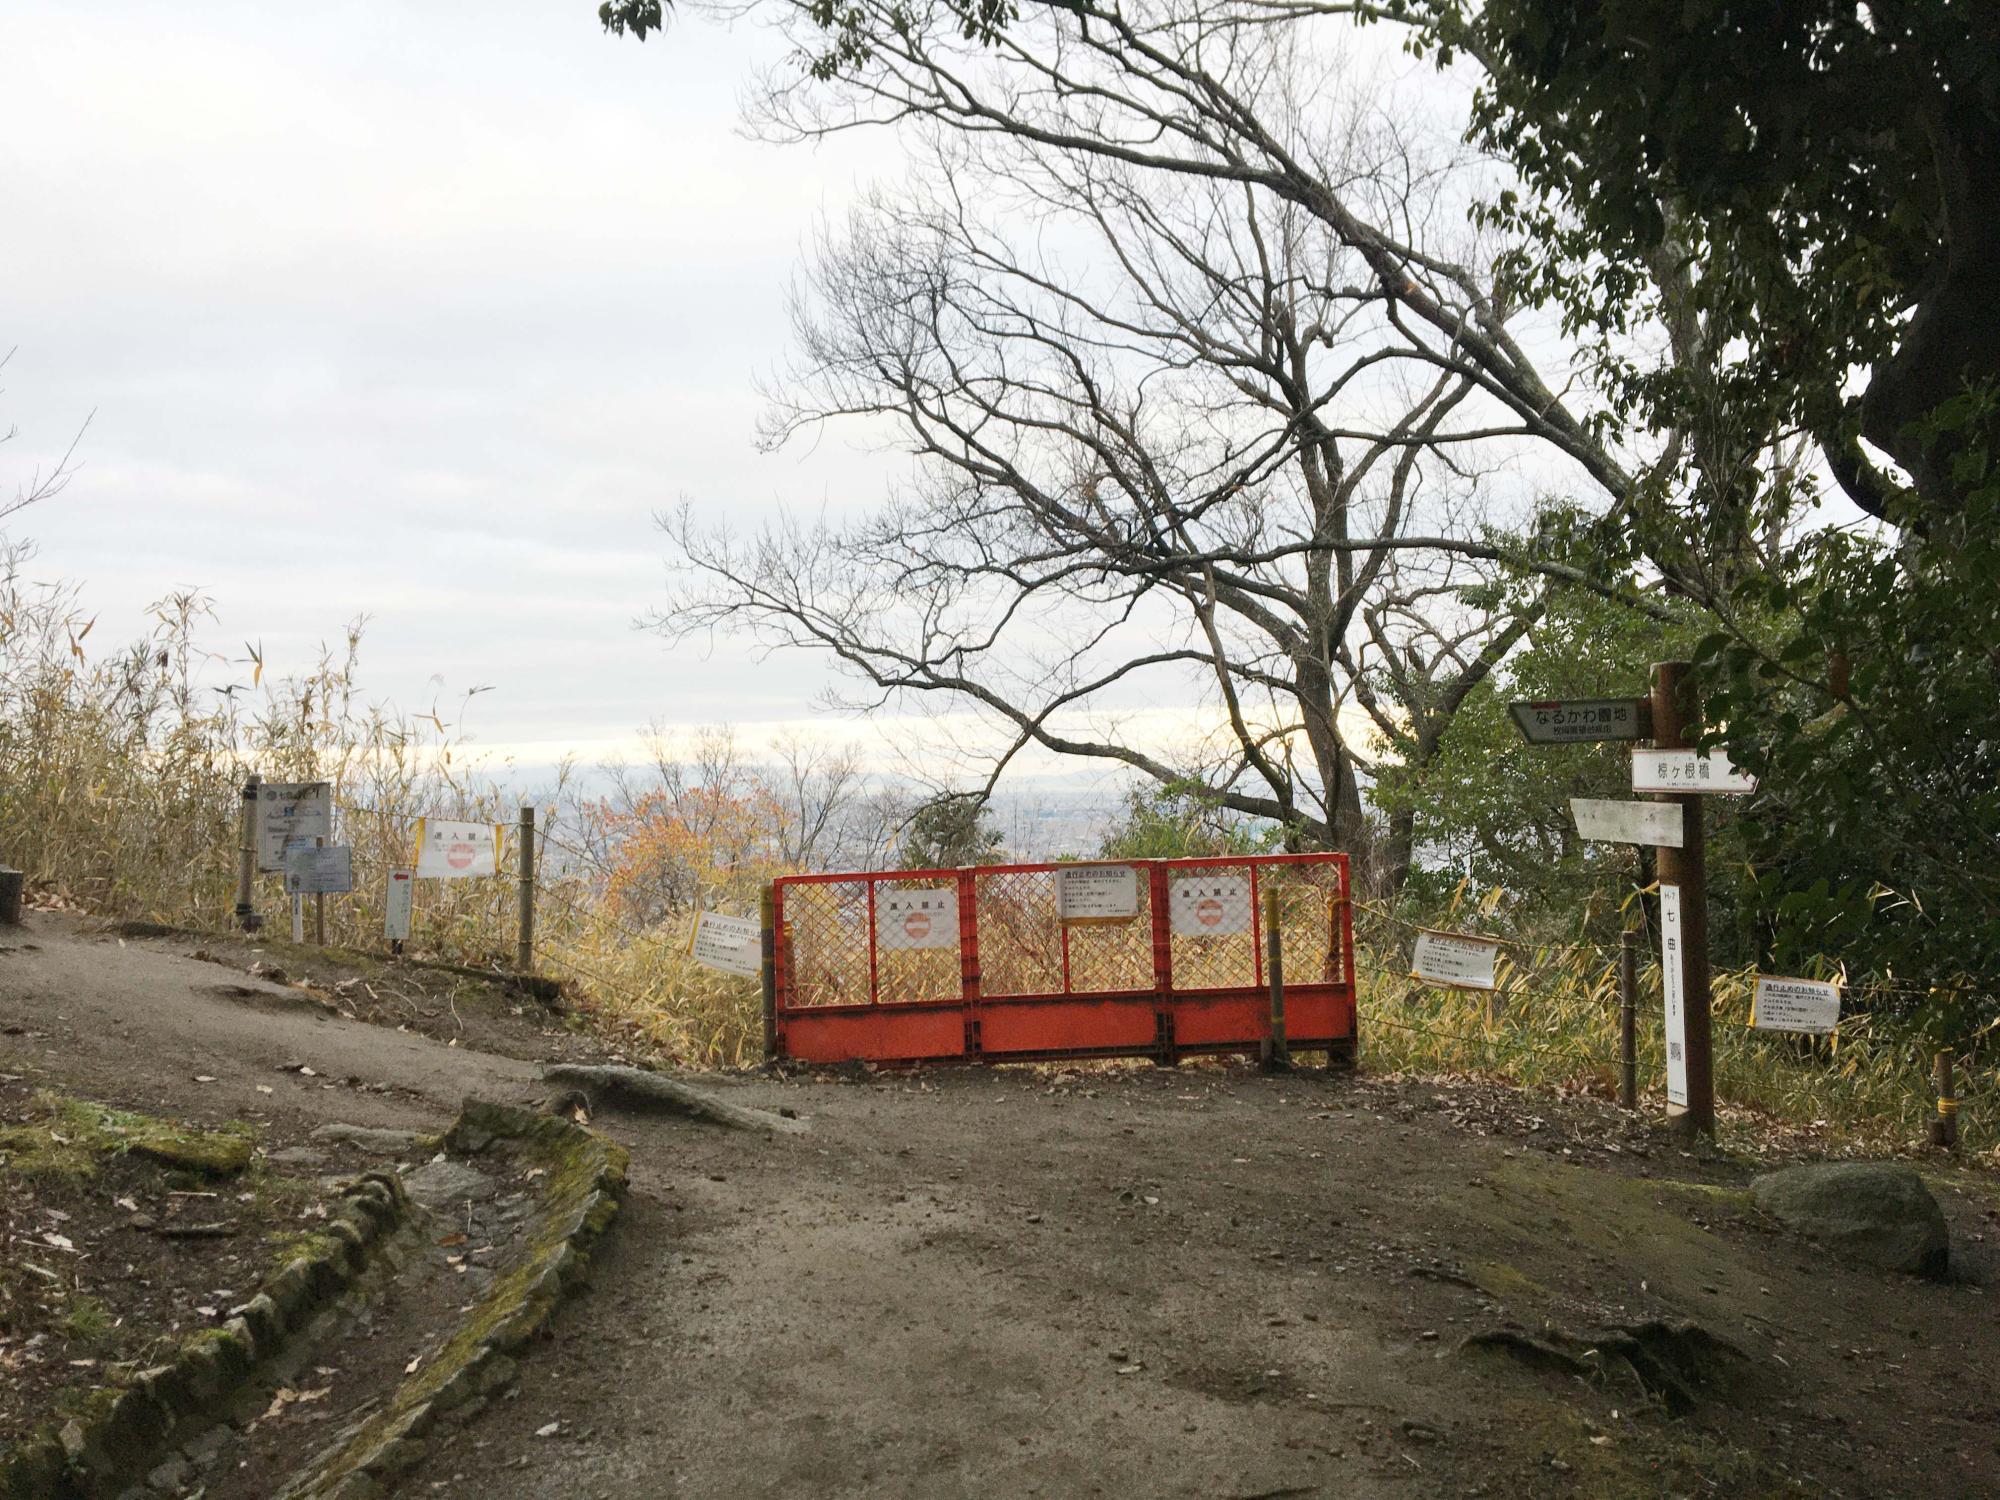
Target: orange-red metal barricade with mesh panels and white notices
{"type": "Point", "coordinates": [1061, 961]}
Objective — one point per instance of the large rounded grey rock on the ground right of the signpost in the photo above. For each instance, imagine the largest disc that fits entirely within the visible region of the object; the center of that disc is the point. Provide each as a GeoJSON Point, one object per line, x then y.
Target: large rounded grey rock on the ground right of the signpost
{"type": "Point", "coordinates": [1869, 1211]}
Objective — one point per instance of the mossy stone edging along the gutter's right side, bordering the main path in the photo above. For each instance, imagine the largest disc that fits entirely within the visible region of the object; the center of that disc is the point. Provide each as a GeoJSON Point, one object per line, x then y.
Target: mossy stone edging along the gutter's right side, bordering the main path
{"type": "Point", "coordinates": [587, 1179]}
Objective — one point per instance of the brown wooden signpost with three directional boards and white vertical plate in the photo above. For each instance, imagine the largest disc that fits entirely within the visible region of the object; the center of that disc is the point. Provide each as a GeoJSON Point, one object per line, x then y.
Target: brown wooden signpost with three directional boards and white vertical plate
{"type": "Point", "coordinates": [1677, 777]}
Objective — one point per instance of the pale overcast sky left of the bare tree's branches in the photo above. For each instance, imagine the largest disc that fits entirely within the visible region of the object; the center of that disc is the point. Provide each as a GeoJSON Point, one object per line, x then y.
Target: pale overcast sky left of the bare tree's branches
{"type": "Point", "coordinates": [411, 311]}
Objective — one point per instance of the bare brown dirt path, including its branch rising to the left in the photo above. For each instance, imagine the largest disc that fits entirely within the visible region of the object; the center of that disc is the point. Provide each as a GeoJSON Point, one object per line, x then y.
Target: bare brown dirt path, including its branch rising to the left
{"type": "Point", "coordinates": [1123, 1283]}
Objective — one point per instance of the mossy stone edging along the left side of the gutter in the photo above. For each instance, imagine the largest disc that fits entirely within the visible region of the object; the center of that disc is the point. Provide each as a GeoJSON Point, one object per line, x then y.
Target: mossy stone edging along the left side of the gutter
{"type": "Point", "coordinates": [93, 1455]}
